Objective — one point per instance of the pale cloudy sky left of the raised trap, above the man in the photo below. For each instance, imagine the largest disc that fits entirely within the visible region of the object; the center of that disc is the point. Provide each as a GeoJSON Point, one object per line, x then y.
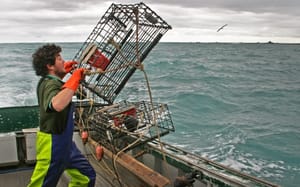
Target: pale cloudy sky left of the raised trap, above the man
{"type": "Point", "coordinates": [49, 20]}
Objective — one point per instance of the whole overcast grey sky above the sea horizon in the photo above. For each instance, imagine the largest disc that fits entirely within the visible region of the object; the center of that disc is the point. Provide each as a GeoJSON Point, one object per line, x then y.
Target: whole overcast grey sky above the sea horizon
{"type": "Point", "coordinates": [191, 20]}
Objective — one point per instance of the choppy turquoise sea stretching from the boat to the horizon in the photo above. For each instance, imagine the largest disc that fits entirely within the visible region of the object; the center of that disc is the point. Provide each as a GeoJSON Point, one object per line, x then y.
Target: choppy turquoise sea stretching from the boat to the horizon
{"type": "Point", "coordinates": [234, 103]}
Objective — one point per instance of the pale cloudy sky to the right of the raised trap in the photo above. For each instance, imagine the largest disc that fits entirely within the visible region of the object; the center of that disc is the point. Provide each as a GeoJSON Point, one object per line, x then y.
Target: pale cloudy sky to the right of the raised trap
{"type": "Point", "coordinates": [247, 21]}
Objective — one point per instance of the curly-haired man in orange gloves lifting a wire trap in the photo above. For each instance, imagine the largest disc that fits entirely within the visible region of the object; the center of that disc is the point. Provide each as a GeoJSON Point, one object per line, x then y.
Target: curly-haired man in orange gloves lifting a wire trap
{"type": "Point", "coordinates": [56, 152]}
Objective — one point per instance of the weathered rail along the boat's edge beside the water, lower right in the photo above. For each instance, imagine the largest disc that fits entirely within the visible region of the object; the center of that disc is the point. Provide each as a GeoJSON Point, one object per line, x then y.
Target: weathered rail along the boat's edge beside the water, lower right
{"type": "Point", "coordinates": [208, 168]}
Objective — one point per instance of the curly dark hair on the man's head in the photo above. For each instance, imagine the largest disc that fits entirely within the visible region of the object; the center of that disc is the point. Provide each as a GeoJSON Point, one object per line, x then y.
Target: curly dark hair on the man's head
{"type": "Point", "coordinates": [43, 56]}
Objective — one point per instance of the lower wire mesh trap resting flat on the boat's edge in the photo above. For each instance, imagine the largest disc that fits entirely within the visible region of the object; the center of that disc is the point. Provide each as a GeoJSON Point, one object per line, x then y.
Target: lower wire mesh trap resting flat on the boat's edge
{"type": "Point", "coordinates": [122, 123]}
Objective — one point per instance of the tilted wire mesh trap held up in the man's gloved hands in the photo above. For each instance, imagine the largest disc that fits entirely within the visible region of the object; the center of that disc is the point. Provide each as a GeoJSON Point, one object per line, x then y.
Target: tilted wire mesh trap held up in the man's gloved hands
{"type": "Point", "coordinates": [117, 46]}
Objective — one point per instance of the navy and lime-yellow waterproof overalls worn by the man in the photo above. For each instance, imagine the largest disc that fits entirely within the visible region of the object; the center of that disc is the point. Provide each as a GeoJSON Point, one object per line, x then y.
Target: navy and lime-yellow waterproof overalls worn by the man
{"type": "Point", "coordinates": [57, 153]}
